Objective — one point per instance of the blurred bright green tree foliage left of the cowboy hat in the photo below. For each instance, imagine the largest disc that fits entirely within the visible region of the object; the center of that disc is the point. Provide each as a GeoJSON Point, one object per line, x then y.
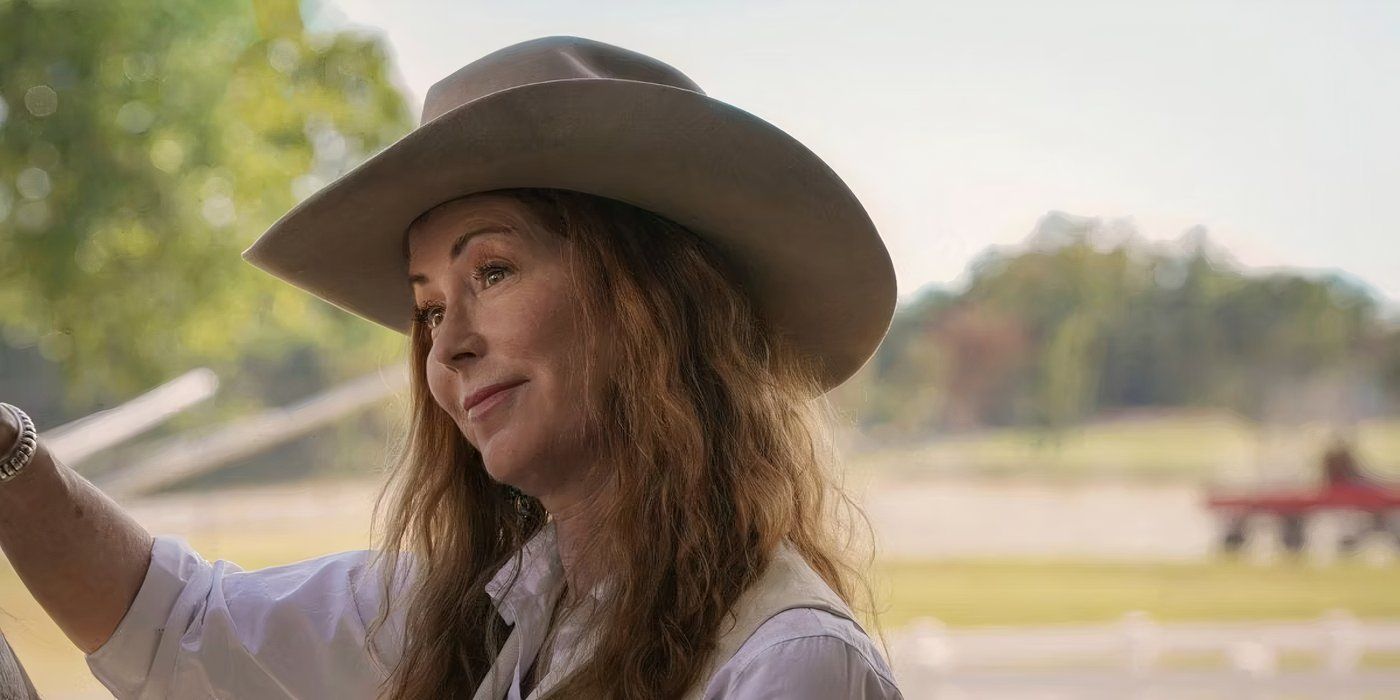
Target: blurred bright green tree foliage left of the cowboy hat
{"type": "Point", "coordinates": [143, 146]}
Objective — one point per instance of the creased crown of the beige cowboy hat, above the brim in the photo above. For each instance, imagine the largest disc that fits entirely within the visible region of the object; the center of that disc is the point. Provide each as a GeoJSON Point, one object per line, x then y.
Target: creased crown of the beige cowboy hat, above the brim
{"type": "Point", "coordinates": [544, 61]}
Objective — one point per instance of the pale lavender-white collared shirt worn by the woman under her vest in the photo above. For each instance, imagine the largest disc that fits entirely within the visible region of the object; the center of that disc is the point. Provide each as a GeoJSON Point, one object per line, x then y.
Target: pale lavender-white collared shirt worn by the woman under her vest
{"type": "Point", "coordinates": [201, 629]}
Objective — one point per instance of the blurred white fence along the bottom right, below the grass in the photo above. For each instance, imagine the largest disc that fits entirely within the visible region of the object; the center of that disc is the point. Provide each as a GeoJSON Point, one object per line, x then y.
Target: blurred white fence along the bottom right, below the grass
{"type": "Point", "coordinates": [1080, 660]}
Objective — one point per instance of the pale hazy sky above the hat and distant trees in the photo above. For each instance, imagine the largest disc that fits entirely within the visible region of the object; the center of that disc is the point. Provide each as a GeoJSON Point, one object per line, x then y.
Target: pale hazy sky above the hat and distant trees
{"type": "Point", "coordinates": [1270, 124]}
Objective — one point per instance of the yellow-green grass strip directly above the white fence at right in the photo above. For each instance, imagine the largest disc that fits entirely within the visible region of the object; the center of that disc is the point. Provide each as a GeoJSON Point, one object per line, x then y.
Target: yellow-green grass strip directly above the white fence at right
{"type": "Point", "coordinates": [1051, 593]}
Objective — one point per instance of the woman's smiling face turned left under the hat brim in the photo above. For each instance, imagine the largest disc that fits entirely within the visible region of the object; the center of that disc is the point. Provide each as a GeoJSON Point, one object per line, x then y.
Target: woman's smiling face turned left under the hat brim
{"type": "Point", "coordinates": [495, 290]}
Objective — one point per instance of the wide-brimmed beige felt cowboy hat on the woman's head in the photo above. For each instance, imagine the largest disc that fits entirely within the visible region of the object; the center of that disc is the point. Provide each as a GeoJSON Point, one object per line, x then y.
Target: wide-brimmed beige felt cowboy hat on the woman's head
{"type": "Point", "coordinates": [576, 114]}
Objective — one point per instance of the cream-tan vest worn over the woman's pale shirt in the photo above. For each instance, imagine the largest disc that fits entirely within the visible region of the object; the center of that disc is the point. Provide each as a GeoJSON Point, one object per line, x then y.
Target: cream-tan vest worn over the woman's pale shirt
{"type": "Point", "coordinates": [789, 583]}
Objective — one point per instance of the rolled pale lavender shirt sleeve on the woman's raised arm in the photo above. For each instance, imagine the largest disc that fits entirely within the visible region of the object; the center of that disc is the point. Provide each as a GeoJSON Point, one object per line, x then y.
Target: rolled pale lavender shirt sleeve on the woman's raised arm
{"type": "Point", "coordinates": [201, 629]}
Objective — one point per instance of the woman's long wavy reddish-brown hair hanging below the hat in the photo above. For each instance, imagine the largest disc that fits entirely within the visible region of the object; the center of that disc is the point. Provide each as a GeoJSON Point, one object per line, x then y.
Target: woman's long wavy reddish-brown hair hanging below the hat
{"type": "Point", "coordinates": [720, 442]}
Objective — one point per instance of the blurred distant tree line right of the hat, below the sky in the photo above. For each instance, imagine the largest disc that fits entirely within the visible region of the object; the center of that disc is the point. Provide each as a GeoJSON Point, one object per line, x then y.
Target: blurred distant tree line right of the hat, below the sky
{"type": "Point", "coordinates": [1091, 318]}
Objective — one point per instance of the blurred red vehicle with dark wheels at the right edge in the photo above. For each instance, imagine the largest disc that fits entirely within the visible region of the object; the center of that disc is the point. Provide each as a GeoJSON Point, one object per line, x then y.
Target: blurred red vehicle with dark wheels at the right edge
{"type": "Point", "coordinates": [1291, 509]}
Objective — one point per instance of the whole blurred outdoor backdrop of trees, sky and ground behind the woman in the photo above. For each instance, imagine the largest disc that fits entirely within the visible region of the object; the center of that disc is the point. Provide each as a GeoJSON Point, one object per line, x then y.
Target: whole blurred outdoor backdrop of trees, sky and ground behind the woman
{"type": "Point", "coordinates": [1147, 257]}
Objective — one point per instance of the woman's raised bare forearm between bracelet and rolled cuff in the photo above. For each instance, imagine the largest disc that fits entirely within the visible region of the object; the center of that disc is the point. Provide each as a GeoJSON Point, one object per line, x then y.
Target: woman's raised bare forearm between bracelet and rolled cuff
{"type": "Point", "coordinates": [78, 552]}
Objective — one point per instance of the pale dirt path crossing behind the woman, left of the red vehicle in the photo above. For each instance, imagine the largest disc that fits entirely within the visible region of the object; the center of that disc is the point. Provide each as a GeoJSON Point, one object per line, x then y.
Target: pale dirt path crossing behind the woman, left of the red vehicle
{"type": "Point", "coordinates": [925, 519]}
